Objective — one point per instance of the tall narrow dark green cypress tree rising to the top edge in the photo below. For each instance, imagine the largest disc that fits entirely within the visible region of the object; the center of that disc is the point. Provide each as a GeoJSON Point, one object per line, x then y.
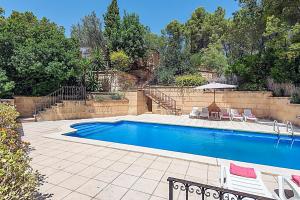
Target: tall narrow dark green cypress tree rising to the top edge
{"type": "Point", "coordinates": [112, 21]}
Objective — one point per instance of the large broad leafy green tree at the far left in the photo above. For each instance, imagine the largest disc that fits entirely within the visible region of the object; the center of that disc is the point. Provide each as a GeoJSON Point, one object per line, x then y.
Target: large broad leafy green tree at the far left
{"type": "Point", "coordinates": [36, 55]}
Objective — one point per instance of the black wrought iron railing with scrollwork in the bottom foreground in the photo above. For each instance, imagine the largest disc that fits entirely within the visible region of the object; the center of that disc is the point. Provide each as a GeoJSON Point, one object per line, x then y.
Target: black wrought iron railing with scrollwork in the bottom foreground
{"type": "Point", "coordinates": [204, 192]}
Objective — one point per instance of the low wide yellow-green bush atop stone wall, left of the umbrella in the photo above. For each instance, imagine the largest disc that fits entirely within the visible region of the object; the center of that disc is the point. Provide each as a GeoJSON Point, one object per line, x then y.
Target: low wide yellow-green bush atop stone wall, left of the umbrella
{"type": "Point", "coordinates": [189, 80]}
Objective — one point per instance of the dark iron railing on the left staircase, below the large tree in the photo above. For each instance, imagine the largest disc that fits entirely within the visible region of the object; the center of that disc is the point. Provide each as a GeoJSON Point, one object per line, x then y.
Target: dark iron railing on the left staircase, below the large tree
{"type": "Point", "coordinates": [65, 93]}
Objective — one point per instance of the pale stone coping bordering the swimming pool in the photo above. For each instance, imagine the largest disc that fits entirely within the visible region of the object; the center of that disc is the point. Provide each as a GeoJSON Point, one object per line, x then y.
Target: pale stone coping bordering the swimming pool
{"type": "Point", "coordinates": [66, 128]}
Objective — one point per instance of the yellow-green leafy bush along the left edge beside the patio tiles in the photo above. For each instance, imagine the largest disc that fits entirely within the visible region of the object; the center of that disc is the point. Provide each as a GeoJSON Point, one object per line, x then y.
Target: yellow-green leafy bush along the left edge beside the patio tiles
{"type": "Point", "coordinates": [17, 178]}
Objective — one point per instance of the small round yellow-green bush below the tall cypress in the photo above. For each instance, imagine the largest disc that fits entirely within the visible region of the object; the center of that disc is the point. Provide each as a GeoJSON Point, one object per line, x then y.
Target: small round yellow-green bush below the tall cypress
{"type": "Point", "coordinates": [120, 60]}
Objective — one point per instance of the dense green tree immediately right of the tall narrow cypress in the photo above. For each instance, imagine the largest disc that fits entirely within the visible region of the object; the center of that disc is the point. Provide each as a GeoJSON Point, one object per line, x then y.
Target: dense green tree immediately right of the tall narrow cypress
{"type": "Point", "coordinates": [133, 36]}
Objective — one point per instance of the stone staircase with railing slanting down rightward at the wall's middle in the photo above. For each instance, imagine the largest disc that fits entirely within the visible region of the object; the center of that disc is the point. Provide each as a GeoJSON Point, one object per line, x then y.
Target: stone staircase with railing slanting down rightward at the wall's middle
{"type": "Point", "coordinates": [162, 100]}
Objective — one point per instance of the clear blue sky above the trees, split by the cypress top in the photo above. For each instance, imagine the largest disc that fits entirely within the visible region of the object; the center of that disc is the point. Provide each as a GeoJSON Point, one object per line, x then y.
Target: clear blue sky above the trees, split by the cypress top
{"type": "Point", "coordinates": [153, 13]}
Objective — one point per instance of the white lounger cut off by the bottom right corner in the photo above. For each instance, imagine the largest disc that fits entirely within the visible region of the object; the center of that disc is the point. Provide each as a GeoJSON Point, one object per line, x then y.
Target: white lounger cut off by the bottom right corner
{"type": "Point", "coordinates": [282, 181]}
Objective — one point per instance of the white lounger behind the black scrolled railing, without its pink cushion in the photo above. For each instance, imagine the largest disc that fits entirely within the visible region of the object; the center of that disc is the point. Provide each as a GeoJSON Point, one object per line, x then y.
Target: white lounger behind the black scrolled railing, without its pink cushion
{"type": "Point", "coordinates": [242, 184]}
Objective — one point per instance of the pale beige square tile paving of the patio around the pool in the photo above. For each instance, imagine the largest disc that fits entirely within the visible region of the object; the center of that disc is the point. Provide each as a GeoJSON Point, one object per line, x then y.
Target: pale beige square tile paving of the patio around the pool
{"type": "Point", "coordinates": [82, 171]}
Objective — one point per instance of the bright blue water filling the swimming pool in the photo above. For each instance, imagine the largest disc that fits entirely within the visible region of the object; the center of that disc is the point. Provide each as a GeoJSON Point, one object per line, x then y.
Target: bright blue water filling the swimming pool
{"type": "Point", "coordinates": [260, 148]}
